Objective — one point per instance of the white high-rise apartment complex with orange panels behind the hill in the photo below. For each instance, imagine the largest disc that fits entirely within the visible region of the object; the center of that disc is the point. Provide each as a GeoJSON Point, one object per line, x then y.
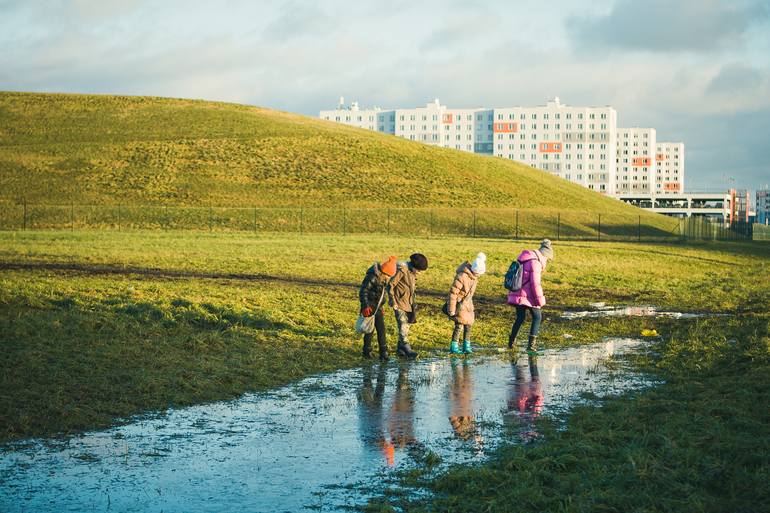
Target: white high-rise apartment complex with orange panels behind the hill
{"type": "Point", "coordinates": [580, 144]}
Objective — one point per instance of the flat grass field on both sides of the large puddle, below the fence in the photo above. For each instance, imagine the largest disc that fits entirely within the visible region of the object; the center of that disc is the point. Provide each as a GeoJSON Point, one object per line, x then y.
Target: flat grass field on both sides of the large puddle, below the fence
{"type": "Point", "coordinates": [96, 326]}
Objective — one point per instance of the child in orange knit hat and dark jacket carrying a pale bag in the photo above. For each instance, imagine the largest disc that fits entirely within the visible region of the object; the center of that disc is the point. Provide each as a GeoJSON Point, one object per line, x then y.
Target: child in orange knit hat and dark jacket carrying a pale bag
{"type": "Point", "coordinates": [372, 296]}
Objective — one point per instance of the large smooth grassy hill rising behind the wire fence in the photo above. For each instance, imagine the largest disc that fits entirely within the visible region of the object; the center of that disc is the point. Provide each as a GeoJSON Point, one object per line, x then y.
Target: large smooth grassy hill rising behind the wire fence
{"type": "Point", "coordinates": [86, 149]}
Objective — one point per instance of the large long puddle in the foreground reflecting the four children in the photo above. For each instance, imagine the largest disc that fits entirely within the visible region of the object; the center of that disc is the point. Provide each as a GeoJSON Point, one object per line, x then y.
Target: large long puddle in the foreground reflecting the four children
{"type": "Point", "coordinates": [322, 444]}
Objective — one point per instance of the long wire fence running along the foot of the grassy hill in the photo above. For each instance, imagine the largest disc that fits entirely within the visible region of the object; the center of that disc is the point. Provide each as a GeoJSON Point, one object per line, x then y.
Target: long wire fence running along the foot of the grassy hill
{"type": "Point", "coordinates": [481, 222]}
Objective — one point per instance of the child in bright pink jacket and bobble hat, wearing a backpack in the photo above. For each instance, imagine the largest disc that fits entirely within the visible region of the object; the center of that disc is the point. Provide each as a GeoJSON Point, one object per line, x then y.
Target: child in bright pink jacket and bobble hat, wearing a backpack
{"type": "Point", "coordinates": [530, 296]}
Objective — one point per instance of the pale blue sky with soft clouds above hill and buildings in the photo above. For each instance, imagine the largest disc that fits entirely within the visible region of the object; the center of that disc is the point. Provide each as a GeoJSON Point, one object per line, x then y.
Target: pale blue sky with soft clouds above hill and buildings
{"type": "Point", "coordinates": [696, 70]}
